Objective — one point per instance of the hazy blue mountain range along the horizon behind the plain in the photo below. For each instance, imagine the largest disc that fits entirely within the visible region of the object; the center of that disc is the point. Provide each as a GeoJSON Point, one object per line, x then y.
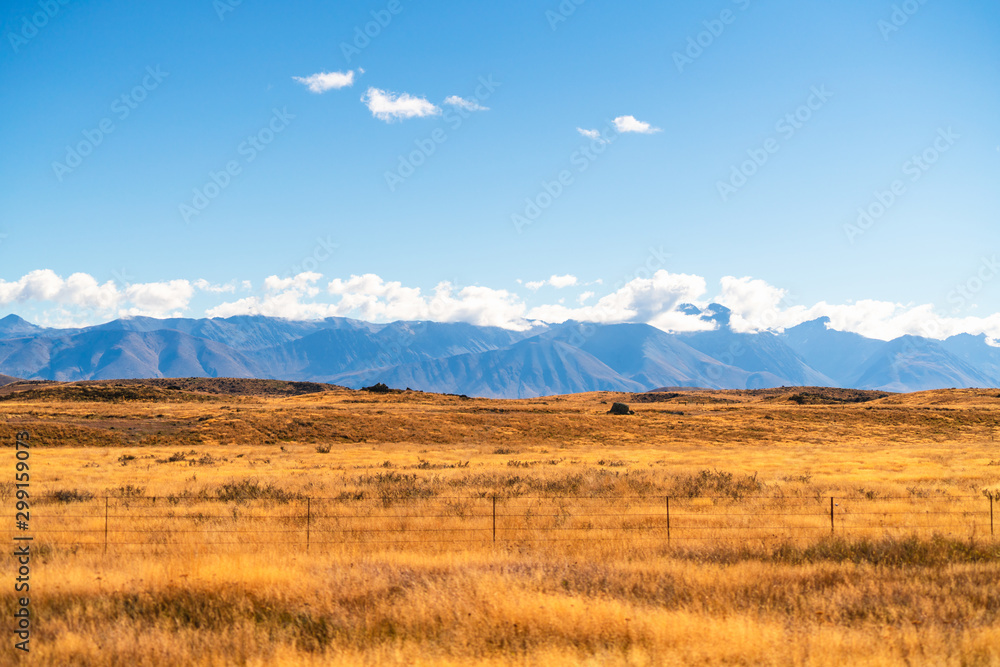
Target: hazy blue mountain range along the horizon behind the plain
{"type": "Point", "coordinates": [463, 358]}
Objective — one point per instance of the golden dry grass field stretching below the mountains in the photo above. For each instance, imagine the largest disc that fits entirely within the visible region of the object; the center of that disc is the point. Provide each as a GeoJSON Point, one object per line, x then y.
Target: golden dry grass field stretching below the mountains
{"type": "Point", "coordinates": [402, 568]}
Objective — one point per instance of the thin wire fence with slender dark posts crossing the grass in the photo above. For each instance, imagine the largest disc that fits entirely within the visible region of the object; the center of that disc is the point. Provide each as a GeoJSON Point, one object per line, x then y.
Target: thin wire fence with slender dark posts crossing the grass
{"type": "Point", "coordinates": [313, 523]}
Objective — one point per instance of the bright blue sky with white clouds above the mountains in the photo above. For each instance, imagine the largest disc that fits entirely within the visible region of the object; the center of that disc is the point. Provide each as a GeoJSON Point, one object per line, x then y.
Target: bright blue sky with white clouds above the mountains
{"type": "Point", "coordinates": [838, 103]}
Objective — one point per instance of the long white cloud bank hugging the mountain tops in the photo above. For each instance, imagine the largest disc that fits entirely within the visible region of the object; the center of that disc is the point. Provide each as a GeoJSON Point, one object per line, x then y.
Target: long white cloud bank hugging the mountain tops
{"type": "Point", "coordinates": [669, 301]}
